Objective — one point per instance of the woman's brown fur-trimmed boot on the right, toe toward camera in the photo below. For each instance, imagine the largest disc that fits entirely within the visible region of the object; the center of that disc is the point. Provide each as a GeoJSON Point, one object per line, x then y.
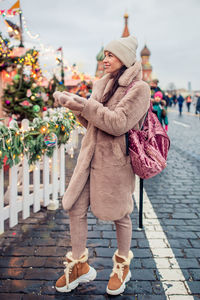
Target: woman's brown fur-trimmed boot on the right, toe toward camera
{"type": "Point", "coordinates": [120, 273]}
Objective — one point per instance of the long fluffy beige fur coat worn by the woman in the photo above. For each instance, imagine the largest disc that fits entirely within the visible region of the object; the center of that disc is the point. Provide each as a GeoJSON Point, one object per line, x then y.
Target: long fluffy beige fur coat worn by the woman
{"type": "Point", "coordinates": [102, 157]}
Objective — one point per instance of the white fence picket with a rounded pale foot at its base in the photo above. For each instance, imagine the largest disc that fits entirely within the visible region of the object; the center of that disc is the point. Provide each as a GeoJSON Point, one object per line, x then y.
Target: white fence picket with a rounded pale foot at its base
{"type": "Point", "coordinates": [54, 203]}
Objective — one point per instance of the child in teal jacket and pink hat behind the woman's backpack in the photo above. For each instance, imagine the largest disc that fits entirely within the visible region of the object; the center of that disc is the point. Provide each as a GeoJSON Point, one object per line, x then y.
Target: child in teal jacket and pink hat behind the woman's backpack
{"type": "Point", "coordinates": [159, 108]}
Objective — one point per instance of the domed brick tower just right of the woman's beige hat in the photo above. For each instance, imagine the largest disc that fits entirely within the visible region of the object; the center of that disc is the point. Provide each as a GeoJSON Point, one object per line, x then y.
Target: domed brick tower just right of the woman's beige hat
{"type": "Point", "coordinates": [146, 66]}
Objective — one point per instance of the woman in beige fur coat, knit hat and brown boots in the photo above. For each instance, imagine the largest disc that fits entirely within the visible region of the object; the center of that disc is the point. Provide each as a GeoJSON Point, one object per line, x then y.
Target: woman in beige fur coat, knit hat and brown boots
{"type": "Point", "coordinates": [103, 178]}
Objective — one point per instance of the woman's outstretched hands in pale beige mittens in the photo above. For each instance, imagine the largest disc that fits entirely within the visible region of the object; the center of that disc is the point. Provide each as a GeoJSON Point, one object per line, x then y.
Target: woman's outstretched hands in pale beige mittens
{"type": "Point", "coordinates": [69, 100]}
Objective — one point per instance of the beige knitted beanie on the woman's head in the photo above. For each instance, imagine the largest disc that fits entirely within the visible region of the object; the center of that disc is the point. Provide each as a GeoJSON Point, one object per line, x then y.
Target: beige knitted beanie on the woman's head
{"type": "Point", "coordinates": [124, 49]}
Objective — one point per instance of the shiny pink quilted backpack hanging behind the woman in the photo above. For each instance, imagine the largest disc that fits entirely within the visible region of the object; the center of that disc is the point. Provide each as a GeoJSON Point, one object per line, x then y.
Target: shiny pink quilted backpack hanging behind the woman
{"type": "Point", "coordinates": [148, 147]}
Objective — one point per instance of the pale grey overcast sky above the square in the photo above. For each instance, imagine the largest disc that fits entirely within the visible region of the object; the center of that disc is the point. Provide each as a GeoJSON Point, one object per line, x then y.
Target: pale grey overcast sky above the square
{"type": "Point", "coordinates": [171, 30]}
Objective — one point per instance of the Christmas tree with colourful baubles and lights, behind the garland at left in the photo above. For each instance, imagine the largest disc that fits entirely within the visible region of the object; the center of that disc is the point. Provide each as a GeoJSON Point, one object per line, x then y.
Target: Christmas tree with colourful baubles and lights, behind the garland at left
{"type": "Point", "coordinates": [24, 97]}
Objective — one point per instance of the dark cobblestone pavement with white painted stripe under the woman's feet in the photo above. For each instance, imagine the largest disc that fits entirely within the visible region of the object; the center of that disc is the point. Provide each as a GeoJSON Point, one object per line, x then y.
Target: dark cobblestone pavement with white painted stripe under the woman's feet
{"type": "Point", "coordinates": [166, 262]}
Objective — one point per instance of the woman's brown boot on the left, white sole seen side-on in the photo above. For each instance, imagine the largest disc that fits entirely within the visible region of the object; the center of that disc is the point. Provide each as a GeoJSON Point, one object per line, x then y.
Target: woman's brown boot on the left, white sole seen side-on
{"type": "Point", "coordinates": [76, 271]}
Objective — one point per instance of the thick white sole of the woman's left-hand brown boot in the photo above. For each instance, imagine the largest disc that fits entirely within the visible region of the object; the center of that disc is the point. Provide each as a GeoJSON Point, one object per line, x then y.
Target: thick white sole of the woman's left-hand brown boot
{"type": "Point", "coordinates": [91, 275]}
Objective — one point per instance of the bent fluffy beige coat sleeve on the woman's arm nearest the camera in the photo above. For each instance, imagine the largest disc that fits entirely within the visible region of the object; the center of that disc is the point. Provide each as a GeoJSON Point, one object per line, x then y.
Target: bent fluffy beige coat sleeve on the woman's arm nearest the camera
{"type": "Point", "coordinates": [126, 114]}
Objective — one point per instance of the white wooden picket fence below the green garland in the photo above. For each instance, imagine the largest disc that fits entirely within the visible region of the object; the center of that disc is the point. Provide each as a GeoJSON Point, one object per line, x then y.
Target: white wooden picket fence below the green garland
{"type": "Point", "coordinates": [20, 195]}
